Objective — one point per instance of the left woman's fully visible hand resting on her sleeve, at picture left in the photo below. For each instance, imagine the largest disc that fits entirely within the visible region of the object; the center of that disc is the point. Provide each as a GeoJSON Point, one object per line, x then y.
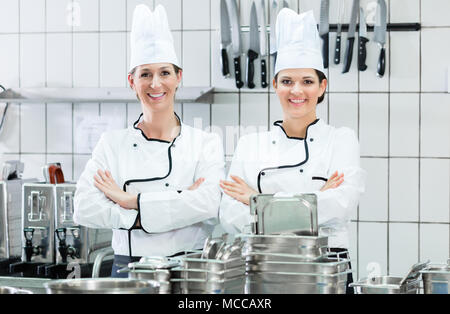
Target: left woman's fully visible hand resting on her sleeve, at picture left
{"type": "Point", "coordinates": [105, 183]}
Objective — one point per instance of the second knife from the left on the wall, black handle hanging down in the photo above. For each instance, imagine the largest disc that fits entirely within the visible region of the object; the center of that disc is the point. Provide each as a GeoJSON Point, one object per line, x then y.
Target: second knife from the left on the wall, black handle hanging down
{"type": "Point", "coordinates": [236, 41]}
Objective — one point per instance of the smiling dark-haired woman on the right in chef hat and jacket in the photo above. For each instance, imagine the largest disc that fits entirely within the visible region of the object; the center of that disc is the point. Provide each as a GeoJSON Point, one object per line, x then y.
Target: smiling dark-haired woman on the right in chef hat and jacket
{"type": "Point", "coordinates": [302, 154]}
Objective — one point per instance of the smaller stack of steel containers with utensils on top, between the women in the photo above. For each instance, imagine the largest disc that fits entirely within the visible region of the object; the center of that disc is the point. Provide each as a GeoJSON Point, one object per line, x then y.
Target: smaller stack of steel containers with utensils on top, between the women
{"type": "Point", "coordinates": [218, 269]}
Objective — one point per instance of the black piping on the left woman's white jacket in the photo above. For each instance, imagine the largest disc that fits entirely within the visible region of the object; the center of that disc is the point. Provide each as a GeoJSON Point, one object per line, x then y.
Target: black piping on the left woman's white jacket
{"type": "Point", "coordinates": [128, 182]}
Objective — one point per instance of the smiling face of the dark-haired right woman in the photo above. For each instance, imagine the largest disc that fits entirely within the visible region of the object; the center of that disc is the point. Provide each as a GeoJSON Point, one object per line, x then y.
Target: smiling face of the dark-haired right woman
{"type": "Point", "coordinates": [299, 91]}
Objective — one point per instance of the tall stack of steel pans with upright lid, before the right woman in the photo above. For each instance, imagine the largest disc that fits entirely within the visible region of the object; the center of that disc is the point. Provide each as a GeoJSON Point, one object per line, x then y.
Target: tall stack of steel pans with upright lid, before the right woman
{"type": "Point", "coordinates": [284, 253]}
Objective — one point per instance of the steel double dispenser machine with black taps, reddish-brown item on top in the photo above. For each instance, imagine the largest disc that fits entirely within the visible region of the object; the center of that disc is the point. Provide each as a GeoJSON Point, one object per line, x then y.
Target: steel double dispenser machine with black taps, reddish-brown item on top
{"type": "Point", "coordinates": [54, 246]}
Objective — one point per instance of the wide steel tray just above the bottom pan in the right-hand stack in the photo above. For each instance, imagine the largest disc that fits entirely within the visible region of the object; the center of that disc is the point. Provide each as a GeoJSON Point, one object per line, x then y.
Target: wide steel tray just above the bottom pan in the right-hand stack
{"type": "Point", "coordinates": [322, 266]}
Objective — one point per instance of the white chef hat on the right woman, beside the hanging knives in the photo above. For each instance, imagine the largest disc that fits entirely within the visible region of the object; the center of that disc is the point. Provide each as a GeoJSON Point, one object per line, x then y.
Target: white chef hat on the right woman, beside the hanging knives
{"type": "Point", "coordinates": [298, 41]}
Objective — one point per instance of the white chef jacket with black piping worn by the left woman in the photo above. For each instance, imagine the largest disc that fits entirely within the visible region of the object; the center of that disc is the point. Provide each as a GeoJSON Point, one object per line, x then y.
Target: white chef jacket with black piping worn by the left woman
{"type": "Point", "coordinates": [173, 219]}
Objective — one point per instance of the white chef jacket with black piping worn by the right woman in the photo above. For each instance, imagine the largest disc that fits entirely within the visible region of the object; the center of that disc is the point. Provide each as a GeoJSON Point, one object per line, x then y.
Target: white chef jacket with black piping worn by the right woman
{"type": "Point", "coordinates": [272, 162]}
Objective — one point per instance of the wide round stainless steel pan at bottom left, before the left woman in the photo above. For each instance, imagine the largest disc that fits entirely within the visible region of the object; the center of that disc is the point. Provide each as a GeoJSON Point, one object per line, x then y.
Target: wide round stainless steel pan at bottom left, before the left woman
{"type": "Point", "coordinates": [101, 286]}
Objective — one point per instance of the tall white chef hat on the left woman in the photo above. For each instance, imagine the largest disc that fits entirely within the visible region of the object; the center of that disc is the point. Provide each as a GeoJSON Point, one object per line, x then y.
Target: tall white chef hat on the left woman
{"type": "Point", "coordinates": [151, 39]}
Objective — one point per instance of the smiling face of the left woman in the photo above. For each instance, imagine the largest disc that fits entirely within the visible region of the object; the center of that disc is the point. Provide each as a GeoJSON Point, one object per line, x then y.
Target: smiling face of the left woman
{"type": "Point", "coordinates": [155, 85]}
